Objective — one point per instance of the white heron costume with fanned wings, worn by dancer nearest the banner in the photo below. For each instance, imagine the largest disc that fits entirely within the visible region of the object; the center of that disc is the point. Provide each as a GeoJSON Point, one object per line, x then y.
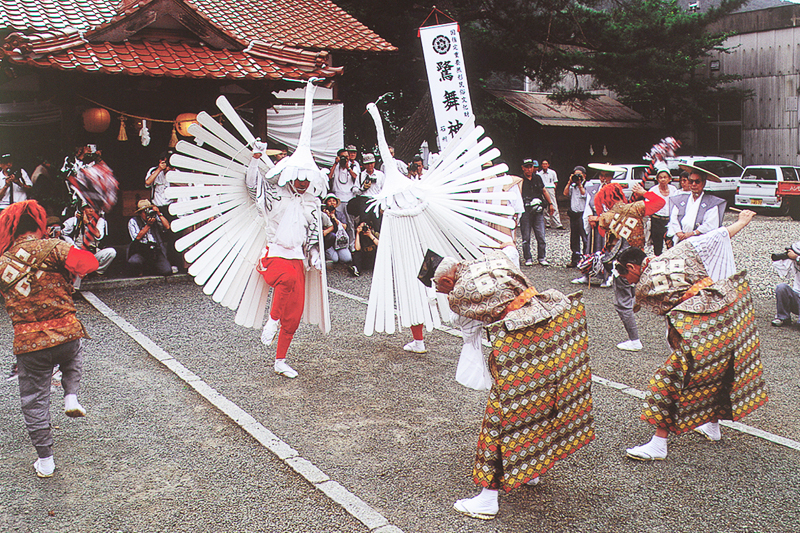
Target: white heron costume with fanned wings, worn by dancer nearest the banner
{"type": "Point", "coordinates": [444, 211]}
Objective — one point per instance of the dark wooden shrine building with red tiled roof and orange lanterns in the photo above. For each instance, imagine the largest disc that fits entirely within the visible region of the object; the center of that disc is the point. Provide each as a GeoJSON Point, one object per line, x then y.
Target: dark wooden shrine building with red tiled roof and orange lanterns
{"type": "Point", "coordinates": [90, 71]}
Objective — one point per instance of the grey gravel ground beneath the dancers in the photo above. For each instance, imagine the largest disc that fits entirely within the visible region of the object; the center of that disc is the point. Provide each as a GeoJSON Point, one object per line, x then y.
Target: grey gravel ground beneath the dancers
{"type": "Point", "coordinates": [392, 427]}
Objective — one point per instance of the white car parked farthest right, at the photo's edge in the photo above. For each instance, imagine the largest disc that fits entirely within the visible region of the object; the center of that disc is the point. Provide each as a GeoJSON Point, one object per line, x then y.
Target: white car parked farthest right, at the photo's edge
{"type": "Point", "coordinates": [758, 185]}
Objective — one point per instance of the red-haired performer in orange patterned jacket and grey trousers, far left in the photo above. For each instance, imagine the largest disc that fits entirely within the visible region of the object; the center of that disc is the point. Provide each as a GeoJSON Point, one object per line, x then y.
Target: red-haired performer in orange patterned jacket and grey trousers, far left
{"type": "Point", "coordinates": [38, 299]}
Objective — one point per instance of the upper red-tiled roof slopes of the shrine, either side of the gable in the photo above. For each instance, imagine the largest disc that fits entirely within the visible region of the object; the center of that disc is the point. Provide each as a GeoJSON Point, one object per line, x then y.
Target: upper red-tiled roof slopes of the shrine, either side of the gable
{"type": "Point", "coordinates": [311, 24]}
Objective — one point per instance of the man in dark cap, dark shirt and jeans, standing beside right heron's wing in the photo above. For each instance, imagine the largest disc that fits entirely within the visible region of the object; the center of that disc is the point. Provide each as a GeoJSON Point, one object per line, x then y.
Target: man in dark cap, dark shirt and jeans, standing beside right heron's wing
{"type": "Point", "coordinates": [537, 202]}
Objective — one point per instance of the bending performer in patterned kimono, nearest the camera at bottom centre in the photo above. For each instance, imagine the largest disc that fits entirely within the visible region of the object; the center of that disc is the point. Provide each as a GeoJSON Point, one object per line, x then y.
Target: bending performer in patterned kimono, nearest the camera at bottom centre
{"type": "Point", "coordinates": [540, 404]}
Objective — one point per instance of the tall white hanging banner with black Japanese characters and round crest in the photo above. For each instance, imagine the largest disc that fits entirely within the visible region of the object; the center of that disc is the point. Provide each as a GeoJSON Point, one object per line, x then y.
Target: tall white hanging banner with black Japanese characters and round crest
{"type": "Point", "coordinates": [452, 106]}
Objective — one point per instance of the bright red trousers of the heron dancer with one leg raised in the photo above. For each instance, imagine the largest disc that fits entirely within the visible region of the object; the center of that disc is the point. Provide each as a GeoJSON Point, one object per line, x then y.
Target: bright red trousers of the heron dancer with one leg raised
{"type": "Point", "coordinates": [288, 278]}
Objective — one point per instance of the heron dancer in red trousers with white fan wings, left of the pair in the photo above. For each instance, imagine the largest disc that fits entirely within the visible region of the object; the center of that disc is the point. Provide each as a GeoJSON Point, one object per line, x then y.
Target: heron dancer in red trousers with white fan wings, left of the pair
{"type": "Point", "coordinates": [262, 229]}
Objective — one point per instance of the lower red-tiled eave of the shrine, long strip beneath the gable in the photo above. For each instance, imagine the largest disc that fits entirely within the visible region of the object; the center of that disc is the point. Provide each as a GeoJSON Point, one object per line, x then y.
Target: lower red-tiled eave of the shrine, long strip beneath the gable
{"type": "Point", "coordinates": [69, 51]}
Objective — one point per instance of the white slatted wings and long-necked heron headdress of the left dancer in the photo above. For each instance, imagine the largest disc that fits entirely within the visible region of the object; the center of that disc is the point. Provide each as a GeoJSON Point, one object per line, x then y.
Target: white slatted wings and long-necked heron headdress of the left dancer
{"type": "Point", "coordinates": [229, 233]}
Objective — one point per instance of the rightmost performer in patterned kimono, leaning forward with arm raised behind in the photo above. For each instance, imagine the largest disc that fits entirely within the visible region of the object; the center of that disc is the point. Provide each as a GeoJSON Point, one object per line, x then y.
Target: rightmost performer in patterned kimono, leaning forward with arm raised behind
{"type": "Point", "coordinates": [714, 372]}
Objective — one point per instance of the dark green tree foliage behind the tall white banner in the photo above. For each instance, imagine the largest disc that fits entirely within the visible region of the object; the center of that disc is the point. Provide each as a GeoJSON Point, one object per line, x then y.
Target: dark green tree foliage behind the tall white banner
{"type": "Point", "coordinates": [649, 52]}
